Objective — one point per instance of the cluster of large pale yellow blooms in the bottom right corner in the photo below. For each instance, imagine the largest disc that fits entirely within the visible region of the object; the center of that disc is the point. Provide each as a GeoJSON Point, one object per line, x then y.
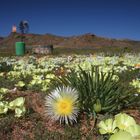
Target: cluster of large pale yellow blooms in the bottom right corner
{"type": "Point", "coordinates": [122, 126]}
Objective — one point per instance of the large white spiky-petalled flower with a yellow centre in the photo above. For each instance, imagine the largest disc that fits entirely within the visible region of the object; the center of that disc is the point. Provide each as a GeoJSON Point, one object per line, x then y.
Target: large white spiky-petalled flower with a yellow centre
{"type": "Point", "coordinates": [62, 105]}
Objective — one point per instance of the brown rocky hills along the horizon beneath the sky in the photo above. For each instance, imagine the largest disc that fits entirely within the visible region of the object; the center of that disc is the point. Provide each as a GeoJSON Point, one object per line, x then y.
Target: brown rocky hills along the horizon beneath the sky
{"type": "Point", "coordinates": [81, 41]}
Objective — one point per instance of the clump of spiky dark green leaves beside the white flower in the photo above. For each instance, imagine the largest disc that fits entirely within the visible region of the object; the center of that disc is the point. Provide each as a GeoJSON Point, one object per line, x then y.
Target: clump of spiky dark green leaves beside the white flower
{"type": "Point", "coordinates": [98, 91]}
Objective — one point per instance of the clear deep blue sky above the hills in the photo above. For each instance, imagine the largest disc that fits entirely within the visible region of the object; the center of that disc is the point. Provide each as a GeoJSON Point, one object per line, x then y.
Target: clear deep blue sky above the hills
{"type": "Point", "coordinates": [107, 18]}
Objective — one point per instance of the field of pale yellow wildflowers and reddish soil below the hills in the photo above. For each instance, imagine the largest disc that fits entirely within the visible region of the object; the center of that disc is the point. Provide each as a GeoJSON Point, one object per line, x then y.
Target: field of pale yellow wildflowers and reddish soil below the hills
{"type": "Point", "coordinates": [77, 97]}
